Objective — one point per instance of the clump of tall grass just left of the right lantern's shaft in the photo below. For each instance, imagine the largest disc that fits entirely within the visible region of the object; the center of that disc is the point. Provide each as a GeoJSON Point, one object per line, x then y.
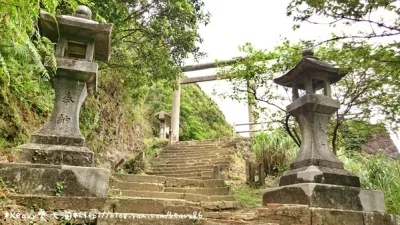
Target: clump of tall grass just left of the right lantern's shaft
{"type": "Point", "coordinates": [276, 150]}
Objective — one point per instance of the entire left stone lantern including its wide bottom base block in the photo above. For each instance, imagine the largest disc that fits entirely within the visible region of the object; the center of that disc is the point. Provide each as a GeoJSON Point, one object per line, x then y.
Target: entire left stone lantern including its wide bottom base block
{"type": "Point", "coordinates": [56, 155]}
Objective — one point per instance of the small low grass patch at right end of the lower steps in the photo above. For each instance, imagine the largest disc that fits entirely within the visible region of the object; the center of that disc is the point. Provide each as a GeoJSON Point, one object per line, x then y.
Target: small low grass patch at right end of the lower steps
{"type": "Point", "coordinates": [247, 196]}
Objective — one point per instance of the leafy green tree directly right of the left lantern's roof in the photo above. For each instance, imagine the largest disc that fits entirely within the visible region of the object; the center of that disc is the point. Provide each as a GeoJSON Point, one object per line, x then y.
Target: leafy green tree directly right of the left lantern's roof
{"type": "Point", "coordinates": [151, 38]}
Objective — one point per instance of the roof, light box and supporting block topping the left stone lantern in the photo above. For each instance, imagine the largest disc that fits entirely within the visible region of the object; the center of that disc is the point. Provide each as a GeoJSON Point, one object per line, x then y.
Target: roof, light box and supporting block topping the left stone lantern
{"type": "Point", "coordinates": [79, 40]}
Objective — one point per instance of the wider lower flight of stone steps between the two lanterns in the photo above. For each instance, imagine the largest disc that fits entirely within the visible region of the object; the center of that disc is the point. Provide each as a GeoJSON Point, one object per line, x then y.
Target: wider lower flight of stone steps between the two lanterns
{"type": "Point", "coordinates": [212, 194]}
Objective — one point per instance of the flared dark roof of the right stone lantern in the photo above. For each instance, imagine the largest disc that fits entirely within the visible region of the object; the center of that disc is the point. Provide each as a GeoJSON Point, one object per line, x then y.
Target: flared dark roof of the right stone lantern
{"type": "Point", "coordinates": [313, 67]}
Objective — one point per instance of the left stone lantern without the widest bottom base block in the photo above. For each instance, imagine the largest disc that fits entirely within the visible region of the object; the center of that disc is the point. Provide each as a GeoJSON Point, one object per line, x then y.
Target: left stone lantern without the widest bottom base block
{"type": "Point", "coordinates": [79, 41]}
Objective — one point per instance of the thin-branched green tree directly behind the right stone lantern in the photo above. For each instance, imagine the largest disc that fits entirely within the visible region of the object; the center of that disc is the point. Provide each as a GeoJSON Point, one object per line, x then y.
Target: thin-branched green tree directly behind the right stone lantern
{"type": "Point", "coordinates": [368, 90]}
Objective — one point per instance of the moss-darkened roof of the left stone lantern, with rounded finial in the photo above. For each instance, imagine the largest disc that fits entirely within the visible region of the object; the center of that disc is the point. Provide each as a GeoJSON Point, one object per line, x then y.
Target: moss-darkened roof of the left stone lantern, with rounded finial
{"type": "Point", "coordinates": [78, 26]}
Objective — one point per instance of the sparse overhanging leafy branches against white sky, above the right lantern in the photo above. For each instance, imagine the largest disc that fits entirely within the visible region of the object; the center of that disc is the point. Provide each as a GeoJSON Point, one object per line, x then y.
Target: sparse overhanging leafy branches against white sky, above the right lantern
{"type": "Point", "coordinates": [350, 13]}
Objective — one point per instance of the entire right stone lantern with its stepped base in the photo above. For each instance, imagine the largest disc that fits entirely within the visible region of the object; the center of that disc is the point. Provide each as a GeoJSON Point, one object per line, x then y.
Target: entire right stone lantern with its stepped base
{"type": "Point", "coordinates": [316, 177]}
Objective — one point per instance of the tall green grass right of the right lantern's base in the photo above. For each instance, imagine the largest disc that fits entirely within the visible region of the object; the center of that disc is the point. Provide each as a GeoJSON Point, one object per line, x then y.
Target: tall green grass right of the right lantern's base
{"type": "Point", "coordinates": [377, 173]}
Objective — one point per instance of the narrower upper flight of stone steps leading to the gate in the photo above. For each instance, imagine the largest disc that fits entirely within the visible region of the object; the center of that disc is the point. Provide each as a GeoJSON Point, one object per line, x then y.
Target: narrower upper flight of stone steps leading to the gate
{"type": "Point", "coordinates": [193, 160]}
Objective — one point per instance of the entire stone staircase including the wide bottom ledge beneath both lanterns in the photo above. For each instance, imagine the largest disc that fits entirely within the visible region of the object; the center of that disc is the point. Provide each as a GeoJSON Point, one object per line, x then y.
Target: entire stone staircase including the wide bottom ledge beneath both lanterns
{"type": "Point", "coordinates": [155, 199]}
